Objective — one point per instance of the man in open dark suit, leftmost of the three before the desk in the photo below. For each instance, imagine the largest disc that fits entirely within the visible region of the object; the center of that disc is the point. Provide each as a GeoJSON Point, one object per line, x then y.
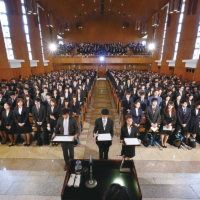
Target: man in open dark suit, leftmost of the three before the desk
{"type": "Point", "coordinates": [68, 126]}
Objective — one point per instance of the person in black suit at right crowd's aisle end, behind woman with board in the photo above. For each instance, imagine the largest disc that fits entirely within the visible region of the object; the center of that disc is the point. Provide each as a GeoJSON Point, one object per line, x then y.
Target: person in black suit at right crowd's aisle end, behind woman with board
{"type": "Point", "coordinates": [127, 103]}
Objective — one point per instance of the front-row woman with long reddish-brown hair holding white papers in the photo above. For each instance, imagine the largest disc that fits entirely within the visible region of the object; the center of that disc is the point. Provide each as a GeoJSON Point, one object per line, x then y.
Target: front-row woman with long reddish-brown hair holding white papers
{"type": "Point", "coordinates": [168, 119]}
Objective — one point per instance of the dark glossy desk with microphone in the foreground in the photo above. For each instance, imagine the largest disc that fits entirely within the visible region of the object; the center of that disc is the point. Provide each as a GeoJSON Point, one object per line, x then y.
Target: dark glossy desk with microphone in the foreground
{"type": "Point", "coordinates": [106, 172]}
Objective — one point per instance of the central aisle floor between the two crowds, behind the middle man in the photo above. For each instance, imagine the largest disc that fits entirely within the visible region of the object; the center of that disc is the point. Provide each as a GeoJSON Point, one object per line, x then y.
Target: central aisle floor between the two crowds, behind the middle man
{"type": "Point", "coordinates": [101, 98]}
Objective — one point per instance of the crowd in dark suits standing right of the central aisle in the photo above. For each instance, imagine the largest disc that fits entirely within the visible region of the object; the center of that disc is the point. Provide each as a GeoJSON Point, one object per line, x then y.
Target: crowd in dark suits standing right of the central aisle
{"type": "Point", "coordinates": [147, 94]}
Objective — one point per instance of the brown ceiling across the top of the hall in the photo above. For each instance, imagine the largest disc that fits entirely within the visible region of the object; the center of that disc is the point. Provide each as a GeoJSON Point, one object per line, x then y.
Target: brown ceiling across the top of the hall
{"type": "Point", "coordinates": [74, 11]}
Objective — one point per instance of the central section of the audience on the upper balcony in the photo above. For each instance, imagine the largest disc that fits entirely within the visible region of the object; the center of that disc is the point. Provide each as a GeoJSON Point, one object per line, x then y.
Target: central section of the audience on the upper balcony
{"type": "Point", "coordinates": [98, 49]}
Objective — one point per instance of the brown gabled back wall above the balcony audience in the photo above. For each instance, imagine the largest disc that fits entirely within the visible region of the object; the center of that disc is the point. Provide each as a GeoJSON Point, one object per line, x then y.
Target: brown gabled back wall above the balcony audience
{"type": "Point", "coordinates": [102, 29]}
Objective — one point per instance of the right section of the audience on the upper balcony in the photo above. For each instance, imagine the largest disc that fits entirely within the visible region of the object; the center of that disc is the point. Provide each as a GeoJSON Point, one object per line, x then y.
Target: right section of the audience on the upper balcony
{"type": "Point", "coordinates": [138, 48]}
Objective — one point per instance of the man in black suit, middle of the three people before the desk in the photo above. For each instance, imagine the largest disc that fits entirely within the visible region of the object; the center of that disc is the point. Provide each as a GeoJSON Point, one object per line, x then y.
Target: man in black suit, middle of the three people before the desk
{"type": "Point", "coordinates": [103, 125]}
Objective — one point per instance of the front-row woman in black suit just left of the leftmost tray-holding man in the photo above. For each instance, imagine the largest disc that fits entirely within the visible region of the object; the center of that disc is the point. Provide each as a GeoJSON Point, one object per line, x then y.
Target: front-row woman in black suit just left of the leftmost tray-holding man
{"type": "Point", "coordinates": [52, 115]}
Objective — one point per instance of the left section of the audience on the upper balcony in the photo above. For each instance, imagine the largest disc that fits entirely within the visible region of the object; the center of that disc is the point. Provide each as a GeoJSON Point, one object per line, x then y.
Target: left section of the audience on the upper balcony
{"type": "Point", "coordinates": [65, 48]}
